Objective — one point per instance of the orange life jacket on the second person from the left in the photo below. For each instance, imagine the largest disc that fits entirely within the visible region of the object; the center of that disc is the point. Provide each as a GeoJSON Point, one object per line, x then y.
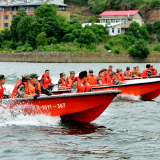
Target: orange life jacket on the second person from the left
{"type": "Point", "coordinates": [14, 93]}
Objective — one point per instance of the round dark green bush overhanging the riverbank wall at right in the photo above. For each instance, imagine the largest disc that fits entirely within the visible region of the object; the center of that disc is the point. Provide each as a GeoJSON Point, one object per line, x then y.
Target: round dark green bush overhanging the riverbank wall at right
{"type": "Point", "coordinates": [139, 49]}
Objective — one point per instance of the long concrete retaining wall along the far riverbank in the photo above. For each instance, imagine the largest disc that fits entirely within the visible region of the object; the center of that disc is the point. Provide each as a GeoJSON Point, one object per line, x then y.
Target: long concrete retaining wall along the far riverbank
{"type": "Point", "coordinates": [56, 57]}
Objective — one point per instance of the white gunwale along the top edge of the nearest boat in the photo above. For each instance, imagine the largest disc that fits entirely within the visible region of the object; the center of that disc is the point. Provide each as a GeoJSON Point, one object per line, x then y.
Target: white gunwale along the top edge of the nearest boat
{"type": "Point", "coordinates": [115, 92]}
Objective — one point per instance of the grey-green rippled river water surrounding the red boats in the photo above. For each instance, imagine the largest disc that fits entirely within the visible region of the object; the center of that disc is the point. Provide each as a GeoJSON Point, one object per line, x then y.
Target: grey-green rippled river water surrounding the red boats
{"type": "Point", "coordinates": [128, 129]}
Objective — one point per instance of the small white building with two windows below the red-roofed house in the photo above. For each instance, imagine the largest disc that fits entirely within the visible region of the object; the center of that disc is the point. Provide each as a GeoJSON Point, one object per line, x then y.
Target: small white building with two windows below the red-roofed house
{"type": "Point", "coordinates": [113, 28]}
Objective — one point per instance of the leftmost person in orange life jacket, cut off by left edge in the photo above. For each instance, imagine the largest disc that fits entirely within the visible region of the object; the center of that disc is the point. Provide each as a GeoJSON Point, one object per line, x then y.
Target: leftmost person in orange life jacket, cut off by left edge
{"type": "Point", "coordinates": [2, 89]}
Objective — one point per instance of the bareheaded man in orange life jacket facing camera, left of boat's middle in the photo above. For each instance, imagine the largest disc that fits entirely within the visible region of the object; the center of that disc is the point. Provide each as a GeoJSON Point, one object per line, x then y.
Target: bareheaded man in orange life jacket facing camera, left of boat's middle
{"type": "Point", "coordinates": [46, 81]}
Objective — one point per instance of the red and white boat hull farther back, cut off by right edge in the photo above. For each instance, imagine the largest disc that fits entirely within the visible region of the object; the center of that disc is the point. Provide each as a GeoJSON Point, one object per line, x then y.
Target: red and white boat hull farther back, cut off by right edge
{"type": "Point", "coordinates": [148, 88]}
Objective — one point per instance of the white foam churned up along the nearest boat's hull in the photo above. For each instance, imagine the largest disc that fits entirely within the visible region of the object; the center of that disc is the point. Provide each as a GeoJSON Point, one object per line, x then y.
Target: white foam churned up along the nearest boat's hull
{"type": "Point", "coordinates": [8, 118]}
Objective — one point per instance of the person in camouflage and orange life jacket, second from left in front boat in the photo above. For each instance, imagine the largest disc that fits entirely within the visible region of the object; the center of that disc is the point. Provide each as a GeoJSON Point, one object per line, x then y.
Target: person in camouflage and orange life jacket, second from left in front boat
{"type": "Point", "coordinates": [21, 89]}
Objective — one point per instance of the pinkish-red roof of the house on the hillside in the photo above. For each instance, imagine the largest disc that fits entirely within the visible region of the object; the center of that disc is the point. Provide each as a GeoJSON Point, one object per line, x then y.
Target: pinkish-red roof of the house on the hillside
{"type": "Point", "coordinates": [119, 13]}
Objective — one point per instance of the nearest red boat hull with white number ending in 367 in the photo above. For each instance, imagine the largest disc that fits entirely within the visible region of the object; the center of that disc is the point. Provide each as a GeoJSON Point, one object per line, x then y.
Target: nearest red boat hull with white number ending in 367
{"type": "Point", "coordinates": [84, 107]}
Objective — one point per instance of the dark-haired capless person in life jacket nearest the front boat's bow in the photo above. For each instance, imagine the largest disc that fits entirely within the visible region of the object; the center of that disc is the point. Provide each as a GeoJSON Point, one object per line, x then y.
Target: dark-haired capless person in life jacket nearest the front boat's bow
{"type": "Point", "coordinates": [81, 84]}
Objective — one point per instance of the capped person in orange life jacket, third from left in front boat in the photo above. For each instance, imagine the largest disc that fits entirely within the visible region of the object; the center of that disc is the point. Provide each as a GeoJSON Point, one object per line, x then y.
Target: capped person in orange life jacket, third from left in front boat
{"type": "Point", "coordinates": [35, 88]}
